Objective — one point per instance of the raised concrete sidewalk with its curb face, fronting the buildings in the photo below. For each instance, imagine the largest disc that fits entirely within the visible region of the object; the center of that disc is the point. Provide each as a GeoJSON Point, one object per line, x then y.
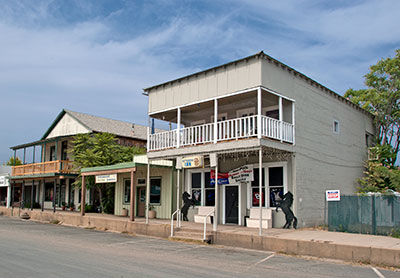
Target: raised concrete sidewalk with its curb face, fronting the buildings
{"type": "Point", "coordinates": [369, 249]}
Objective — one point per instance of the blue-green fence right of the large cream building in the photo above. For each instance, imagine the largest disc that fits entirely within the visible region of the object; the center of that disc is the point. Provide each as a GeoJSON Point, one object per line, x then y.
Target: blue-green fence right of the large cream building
{"type": "Point", "coordinates": [376, 214]}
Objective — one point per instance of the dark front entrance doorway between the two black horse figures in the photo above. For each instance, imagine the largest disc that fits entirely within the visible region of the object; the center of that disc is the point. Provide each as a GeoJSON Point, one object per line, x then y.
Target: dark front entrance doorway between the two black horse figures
{"type": "Point", "coordinates": [231, 207]}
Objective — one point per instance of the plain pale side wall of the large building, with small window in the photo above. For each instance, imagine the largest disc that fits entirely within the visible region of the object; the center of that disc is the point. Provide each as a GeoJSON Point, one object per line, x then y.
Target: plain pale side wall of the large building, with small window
{"type": "Point", "coordinates": [324, 159]}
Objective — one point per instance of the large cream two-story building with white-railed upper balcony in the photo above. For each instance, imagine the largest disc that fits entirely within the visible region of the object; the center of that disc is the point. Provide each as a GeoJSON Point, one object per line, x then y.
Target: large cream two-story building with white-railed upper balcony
{"type": "Point", "coordinates": [258, 113]}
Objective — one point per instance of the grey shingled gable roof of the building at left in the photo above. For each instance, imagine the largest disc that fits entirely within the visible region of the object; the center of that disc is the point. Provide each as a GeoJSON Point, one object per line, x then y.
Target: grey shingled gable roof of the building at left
{"type": "Point", "coordinates": [100, 124]}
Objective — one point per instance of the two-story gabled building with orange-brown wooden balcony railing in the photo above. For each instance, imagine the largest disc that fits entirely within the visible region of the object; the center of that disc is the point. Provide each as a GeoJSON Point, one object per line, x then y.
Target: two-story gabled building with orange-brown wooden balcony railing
{"type": "Point", "coordinates": [45, 178]}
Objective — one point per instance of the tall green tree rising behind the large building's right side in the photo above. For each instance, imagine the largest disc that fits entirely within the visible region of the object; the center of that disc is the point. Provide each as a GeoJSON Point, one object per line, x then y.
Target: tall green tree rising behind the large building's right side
{"type": "Point", "coordinates": [382, 99]}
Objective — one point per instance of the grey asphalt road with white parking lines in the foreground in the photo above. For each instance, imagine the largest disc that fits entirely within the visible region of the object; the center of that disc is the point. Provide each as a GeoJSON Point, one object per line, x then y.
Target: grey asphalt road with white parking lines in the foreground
{"type": "Point", "coordinates": [30, 249]}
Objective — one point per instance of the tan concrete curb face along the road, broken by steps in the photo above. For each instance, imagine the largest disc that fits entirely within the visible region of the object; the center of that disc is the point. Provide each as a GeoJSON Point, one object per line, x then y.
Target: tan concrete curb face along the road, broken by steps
{"type": "Point", "coordinates": [322, 249]}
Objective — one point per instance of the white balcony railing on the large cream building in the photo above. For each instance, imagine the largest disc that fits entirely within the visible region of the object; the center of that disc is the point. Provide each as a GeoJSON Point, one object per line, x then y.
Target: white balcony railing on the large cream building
{"type": "Point", "coordinates": [245, 127]}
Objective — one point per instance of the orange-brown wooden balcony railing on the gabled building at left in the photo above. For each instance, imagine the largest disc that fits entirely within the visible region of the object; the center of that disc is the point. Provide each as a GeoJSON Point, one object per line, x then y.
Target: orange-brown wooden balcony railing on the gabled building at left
{"type": "Point", "coordinates": [57, 166]}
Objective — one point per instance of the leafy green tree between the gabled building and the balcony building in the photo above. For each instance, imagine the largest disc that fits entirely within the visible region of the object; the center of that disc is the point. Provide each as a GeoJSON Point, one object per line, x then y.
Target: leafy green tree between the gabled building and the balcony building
{"type": "Point", "coordinates": [100, 149]}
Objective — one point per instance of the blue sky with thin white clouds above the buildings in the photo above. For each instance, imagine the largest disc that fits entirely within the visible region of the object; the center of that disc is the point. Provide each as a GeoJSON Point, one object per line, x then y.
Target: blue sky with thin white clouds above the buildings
{"type": "Point", "coordinates": [96, 56]}
